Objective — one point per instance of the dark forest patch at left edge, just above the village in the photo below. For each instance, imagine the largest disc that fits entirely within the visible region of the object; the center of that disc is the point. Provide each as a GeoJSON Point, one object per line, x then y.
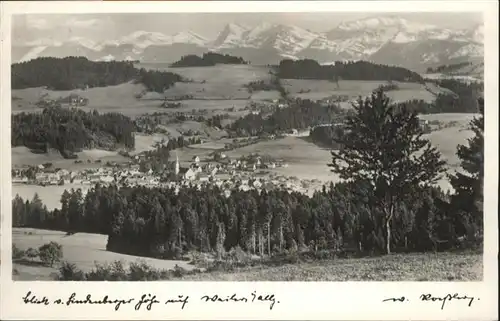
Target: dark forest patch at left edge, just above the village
{"type": "Point", "coordinates": [70, 130]}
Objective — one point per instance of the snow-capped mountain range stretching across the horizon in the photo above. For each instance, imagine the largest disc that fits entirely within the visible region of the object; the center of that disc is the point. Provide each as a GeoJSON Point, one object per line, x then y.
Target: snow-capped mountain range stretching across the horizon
{"type": "Point", "coordinates": [387, 40]}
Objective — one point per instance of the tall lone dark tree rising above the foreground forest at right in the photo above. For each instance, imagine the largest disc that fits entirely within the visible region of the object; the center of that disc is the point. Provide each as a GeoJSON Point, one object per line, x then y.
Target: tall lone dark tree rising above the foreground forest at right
{"type": "Point", "coordinates": [382, 145]}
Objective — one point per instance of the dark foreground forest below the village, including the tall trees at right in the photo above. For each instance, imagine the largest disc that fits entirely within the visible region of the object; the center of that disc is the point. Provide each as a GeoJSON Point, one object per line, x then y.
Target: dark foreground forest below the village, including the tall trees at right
{"type": "Point", "coordinates": [386, 202]}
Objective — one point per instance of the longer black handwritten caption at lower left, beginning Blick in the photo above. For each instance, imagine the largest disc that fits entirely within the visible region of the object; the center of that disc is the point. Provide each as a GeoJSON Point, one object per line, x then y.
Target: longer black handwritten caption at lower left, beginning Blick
{"type": "Point", "coordinates": [147, 301]}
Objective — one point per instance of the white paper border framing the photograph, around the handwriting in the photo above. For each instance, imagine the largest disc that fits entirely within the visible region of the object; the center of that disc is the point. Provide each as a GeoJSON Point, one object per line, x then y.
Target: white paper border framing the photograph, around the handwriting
{"type": "Point", "coordinates": [298, 300]}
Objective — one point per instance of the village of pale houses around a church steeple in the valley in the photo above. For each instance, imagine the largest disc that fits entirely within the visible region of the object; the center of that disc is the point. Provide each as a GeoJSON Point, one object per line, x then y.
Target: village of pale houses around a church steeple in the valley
{"type": "Point", "coordinates": [246, 173]}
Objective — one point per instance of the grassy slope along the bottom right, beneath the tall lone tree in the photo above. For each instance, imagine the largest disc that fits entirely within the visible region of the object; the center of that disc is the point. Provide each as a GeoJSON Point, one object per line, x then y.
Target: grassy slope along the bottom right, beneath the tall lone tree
{"type": "Point", "coordinates": [397, 267]}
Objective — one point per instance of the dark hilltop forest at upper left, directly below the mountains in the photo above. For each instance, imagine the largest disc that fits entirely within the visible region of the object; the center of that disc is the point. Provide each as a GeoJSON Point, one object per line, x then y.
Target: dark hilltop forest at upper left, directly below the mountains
{"type": "Point", "coordinates": [80, 73]}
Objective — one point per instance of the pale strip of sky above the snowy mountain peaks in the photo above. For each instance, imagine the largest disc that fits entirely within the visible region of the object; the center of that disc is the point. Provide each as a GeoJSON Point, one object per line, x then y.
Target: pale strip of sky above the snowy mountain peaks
{"type": "Point", "coordinates": [101, 27]}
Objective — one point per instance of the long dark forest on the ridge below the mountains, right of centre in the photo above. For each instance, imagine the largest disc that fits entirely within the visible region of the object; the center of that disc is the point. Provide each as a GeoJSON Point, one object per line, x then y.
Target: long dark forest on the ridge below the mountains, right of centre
{"type": "Point", "coordinates": [358, 70]}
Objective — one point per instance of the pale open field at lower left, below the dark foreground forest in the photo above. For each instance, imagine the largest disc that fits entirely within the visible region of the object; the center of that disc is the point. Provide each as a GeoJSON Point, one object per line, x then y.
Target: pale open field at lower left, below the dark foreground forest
{"type": "Point", "coordinates": [82, 249]}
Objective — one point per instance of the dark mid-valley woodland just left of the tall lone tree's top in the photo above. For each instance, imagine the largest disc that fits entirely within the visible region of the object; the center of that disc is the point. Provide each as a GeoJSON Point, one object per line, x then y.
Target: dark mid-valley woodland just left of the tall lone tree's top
{"type": "Point", "coordinates": [301, 114]}
